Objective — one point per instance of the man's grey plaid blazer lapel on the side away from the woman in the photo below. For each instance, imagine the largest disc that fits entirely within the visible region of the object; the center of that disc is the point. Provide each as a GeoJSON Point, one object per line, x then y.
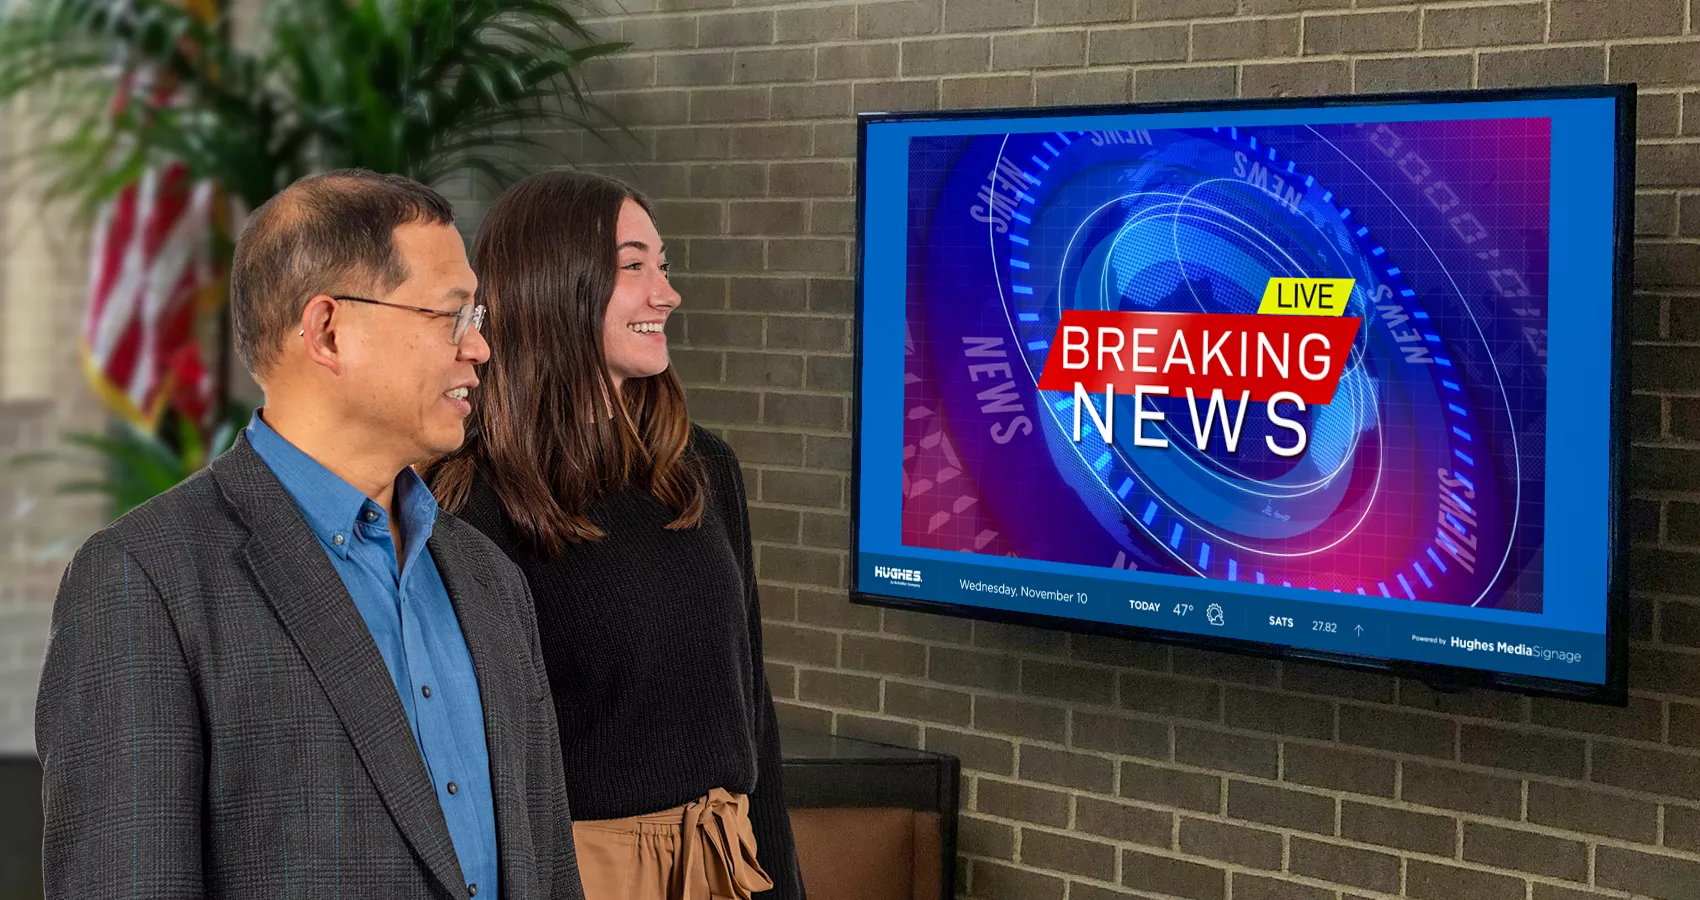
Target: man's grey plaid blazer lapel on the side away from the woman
{"type": "Point", "coordinates": [310, 600]}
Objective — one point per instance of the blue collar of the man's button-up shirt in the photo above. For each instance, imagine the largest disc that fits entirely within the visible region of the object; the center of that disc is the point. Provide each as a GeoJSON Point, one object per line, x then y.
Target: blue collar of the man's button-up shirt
{"type": "Point", "coordinates": [334, 508]}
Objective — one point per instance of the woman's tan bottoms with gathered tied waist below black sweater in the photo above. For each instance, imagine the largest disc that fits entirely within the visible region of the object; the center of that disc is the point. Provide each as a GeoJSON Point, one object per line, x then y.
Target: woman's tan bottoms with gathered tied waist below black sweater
{"type": "Point", "coordinates": [700, 852]}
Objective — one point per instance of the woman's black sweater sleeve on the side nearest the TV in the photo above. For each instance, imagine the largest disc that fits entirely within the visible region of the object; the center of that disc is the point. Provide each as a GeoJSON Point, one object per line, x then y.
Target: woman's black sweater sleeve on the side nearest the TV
{"type": "Point", "coordinates": [769, 816]}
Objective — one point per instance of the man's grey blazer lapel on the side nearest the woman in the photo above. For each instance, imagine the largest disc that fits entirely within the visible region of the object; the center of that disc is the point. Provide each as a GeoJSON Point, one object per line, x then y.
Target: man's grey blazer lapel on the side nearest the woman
{"type": "Point", "coordinates": [494, 644]}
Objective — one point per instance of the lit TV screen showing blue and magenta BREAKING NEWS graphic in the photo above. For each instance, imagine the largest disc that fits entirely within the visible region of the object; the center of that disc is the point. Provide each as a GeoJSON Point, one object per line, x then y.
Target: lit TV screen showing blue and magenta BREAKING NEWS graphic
{"type": "Point", "coordinates": [1301, 355]}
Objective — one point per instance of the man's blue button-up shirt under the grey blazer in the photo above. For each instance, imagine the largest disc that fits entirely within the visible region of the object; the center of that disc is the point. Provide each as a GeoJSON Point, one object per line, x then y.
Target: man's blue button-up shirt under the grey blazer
{"type": "Point", "coordinates": [407, 608]}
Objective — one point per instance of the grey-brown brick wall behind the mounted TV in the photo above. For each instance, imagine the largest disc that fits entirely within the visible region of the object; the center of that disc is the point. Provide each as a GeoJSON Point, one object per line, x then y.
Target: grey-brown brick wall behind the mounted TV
{"type": "Point", "coordinates": [1104, 768]}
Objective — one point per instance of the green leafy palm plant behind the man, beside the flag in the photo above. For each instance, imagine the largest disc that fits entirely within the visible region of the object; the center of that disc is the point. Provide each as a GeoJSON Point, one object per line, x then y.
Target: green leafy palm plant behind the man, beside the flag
{"type": "Point", "coordinates": [428, 89]}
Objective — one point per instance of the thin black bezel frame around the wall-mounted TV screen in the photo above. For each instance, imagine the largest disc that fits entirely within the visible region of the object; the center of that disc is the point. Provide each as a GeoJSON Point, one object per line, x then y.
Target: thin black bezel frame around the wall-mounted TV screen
{"type": "Point", "coordinates": [1448, 678]}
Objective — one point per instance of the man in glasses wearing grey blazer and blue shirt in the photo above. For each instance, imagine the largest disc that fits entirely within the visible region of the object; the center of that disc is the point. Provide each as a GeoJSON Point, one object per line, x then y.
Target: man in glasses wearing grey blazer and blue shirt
{"type": "Point", "coordinates": [288, 676]}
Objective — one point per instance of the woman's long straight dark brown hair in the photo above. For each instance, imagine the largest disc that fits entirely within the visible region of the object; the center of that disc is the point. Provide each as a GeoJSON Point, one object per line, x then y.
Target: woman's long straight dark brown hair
{"type": "Point", "coordinates": [541, 430]}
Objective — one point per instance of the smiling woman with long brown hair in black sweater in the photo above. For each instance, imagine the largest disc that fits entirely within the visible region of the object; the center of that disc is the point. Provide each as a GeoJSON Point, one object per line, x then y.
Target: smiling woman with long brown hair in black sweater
{"type": "Point", "coordinates": [630, 523]}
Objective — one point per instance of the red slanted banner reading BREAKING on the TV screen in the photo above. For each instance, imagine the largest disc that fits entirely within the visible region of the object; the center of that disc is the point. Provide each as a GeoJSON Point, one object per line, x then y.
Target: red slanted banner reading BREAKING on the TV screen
{"type": "Point", "coordinates": [1264, 355]}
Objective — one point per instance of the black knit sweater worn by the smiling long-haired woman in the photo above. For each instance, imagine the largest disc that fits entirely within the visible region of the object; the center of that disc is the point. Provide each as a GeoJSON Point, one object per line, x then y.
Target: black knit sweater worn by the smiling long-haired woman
{"type": "Point", "coordinates": [654, 647]}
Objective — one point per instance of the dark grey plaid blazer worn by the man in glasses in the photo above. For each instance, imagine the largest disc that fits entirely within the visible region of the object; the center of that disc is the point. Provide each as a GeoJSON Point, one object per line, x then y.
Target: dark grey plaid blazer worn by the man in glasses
{"type": "Point", "coordinates": [215, 719]}
